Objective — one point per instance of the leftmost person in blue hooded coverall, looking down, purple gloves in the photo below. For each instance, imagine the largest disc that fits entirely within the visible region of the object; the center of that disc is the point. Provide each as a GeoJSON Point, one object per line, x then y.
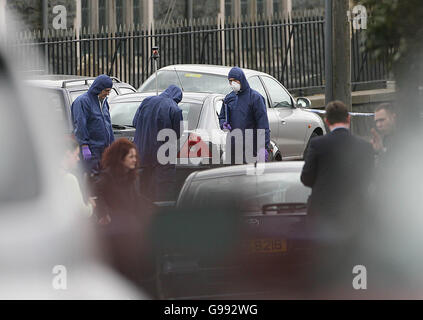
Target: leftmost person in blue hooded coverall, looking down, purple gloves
{"type": "Point", "coordinates": [92, 123]}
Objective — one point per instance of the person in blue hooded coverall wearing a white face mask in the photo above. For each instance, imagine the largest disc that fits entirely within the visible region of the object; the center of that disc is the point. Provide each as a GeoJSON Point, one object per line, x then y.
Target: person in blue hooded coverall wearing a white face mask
{"type": "Point", "coordinates": [243, 109]}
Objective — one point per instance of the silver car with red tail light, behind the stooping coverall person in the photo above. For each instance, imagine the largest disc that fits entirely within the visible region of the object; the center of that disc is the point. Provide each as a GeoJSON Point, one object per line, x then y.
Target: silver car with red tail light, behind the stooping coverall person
{"type": "Point", "coordinates": [201, 145]}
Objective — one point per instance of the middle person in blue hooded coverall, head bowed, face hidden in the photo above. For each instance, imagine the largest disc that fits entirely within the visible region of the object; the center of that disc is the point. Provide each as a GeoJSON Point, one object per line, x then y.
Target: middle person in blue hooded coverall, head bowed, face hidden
{"type": "Point", "coordinates": [154, 114]}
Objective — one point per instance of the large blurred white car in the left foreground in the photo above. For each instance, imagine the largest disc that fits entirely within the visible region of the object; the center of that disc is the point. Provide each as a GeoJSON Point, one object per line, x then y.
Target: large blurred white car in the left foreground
{"type": "Point", "coordinates": [44, 239]}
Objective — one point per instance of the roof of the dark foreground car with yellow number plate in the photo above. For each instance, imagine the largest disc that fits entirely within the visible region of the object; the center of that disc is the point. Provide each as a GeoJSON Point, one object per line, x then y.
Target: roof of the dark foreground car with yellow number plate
{"type": "Point", "coordinates": [247, 169]}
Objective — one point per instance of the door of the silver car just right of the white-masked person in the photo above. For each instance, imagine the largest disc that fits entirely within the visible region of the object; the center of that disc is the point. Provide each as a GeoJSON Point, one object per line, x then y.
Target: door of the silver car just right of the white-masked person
{"type": "Point", "coordinates": [292, 128]}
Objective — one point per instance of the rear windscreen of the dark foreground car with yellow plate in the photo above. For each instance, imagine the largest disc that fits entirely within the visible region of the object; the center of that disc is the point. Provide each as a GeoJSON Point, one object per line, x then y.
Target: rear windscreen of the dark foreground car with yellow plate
{"type": "Point", "coordinates": [249, 192]}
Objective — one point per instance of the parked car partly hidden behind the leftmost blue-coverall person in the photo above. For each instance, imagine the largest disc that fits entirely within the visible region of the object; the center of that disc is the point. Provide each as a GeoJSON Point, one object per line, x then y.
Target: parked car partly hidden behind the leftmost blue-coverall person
{"type": "Point", "coordinates": [62, 90]}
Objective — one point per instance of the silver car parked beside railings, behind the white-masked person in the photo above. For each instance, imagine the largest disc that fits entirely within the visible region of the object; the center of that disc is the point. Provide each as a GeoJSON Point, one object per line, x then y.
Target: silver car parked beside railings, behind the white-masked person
{"type": "Point", "coordinates": [291, 124]}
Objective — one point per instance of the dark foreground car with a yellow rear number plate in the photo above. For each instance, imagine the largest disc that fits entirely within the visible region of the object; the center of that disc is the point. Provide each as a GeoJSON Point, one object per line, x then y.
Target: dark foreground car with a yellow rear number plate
{"type": "Point", "coordinates": [235, 230]}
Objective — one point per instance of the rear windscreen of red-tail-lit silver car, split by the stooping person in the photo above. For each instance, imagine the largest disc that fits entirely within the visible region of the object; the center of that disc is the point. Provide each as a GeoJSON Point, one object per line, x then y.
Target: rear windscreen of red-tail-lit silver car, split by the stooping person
{"type": "Point", "coordinates": [122, 113]}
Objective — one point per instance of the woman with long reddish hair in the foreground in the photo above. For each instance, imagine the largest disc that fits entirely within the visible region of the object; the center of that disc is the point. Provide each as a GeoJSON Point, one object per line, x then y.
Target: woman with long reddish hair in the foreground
{"type": "Point", "coordinates": [124, 214]}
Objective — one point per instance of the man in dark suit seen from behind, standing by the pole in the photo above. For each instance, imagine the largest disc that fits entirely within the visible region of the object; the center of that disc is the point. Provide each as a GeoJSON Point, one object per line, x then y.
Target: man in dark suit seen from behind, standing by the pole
{"type": "Point", "coordinates": [338, 167]}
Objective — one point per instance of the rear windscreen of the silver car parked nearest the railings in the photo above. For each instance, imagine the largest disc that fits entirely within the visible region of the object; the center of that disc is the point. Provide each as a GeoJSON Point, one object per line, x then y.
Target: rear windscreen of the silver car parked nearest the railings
{"type": "Point", "coordinates": [191, 82]}
